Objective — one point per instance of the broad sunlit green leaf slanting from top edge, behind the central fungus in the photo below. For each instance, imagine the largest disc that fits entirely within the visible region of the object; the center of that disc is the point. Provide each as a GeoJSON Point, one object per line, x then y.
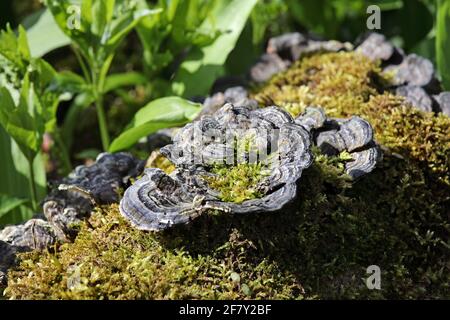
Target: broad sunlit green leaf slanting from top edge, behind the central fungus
{"type": "Point", "coordinates": [202, 66]}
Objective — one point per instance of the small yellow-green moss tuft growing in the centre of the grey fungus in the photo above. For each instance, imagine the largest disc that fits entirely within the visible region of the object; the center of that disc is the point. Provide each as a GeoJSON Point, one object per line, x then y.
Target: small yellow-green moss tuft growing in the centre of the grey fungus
{"type": "Point", "coordinates": [237, 183]}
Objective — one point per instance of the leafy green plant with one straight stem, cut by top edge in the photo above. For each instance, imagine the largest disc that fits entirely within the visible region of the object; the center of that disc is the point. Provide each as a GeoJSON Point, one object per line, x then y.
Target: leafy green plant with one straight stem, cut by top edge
{"type": "Point", "coordinates": [102, 26]}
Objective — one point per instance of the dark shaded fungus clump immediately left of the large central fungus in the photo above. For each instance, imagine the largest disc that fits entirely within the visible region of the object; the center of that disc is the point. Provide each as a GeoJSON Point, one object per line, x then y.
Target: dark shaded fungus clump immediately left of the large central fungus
{"type": "Point", "coordinates": [66, 206]}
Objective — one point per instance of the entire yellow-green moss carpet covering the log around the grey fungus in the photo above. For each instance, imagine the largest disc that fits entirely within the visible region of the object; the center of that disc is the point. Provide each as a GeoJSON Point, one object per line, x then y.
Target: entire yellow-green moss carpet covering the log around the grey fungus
{"type": "Point", "coordinates": [318, 247]}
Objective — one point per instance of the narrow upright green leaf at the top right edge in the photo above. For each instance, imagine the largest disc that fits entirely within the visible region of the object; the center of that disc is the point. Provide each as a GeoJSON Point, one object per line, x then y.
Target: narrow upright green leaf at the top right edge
{"type": "Point", "coordinates": [443, 41]}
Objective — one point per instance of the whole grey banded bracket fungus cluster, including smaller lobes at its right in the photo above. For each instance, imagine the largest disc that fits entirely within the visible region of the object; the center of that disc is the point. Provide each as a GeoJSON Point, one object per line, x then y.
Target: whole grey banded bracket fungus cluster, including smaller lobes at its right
{"type": "Point", "coordinates": [267, 142]}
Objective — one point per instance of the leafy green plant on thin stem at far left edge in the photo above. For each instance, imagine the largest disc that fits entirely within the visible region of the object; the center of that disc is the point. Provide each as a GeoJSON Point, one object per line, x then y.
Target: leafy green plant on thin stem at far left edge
{"type": "Point", "coordinates": [28, 103]}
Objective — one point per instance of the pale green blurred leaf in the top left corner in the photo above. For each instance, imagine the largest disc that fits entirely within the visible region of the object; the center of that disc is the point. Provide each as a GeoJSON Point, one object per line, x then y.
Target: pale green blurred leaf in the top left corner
{"type": "Point", "coordinates": [44, 35]}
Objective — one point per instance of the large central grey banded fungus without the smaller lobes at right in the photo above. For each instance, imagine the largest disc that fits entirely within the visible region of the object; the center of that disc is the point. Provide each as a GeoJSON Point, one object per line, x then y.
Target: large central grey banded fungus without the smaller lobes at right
{"type": "Point", "coordinates": [265, 139]}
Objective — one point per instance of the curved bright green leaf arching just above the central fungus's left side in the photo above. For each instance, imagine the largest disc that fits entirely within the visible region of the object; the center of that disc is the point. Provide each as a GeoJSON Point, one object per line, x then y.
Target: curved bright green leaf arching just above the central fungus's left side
{"type": "Point", "coordinates": [158, 114]}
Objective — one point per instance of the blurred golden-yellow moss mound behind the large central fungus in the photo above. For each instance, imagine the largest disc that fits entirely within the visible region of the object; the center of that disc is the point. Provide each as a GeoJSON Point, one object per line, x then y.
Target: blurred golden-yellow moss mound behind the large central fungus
{"type": "Point", "coordinates": [339, 82]}
